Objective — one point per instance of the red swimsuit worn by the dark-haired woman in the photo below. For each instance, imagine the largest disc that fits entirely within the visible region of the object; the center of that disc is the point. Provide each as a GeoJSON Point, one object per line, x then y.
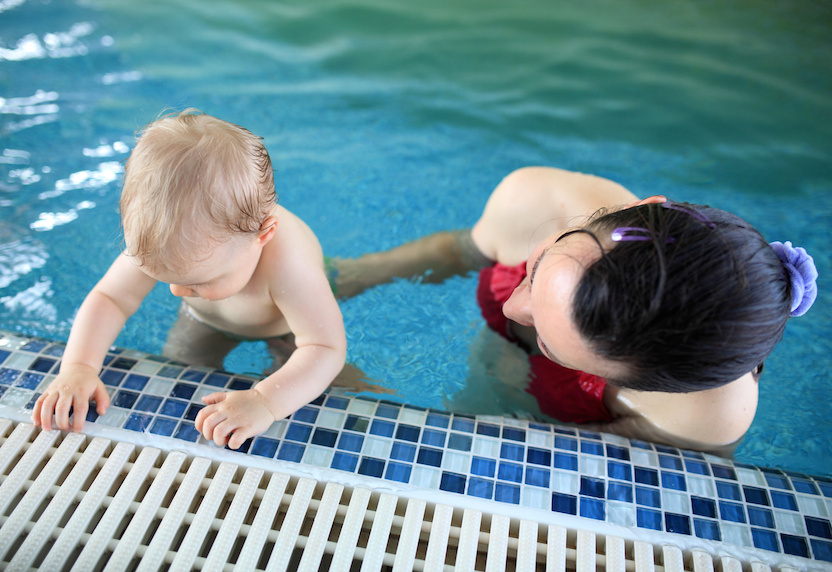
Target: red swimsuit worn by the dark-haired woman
{"type": "Point", "coordinates": [565, 394]}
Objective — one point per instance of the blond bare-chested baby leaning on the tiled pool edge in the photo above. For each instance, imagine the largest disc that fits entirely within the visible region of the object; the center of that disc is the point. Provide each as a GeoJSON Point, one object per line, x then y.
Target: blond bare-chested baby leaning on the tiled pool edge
{"type": "Point", "coordinates": [199, 213]}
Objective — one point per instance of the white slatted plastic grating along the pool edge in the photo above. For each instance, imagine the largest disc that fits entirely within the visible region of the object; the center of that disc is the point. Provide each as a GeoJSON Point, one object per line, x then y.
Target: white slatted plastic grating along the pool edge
{"type": "Point", "coordinates": [74, 502]}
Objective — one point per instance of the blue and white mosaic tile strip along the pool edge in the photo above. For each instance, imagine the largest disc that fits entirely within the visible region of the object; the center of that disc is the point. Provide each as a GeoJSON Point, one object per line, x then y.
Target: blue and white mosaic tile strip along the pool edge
{"type": "Point", "coordinates": [514, 462]}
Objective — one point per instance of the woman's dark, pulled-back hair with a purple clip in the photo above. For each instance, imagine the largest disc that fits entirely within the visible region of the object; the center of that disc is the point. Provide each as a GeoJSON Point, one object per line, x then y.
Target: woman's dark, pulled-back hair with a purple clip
{"type": "Point", "coordinates": [697, 305]}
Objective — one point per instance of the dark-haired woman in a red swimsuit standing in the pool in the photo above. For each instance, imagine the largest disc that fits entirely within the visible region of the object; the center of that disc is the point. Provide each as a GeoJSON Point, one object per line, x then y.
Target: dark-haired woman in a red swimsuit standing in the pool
{"type": "Point", "coordinates": [650, 320]}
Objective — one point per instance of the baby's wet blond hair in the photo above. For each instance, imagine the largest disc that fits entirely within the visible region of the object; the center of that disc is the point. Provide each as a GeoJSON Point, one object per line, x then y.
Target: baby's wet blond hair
{"type": "Point", "coordinates": [192, 181]}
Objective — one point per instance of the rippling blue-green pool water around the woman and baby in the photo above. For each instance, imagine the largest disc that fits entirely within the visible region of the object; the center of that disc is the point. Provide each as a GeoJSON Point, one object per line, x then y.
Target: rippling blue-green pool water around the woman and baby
{"type": "Point", "coordinates": [387, 120]}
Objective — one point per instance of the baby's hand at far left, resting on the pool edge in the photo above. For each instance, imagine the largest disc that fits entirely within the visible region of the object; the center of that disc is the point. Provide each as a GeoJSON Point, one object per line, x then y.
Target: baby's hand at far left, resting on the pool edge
{"type": "Point", "coordinates": [74, 388]}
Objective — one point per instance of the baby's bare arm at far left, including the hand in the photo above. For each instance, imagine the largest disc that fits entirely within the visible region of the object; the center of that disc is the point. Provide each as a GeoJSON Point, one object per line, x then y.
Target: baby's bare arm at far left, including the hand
{"type": "Point", "coordinates": [97, 324]}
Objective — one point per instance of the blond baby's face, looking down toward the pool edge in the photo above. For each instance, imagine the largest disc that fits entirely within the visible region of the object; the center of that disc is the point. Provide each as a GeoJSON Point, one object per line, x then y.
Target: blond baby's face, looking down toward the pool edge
{"type": "Point", "coordinates": [221, 272]}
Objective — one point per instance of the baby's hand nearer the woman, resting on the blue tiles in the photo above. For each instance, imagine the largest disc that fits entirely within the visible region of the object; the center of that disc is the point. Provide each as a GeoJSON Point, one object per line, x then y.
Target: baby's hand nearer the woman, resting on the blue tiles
{"type": "Point", "coordinates": [231, 418]}
